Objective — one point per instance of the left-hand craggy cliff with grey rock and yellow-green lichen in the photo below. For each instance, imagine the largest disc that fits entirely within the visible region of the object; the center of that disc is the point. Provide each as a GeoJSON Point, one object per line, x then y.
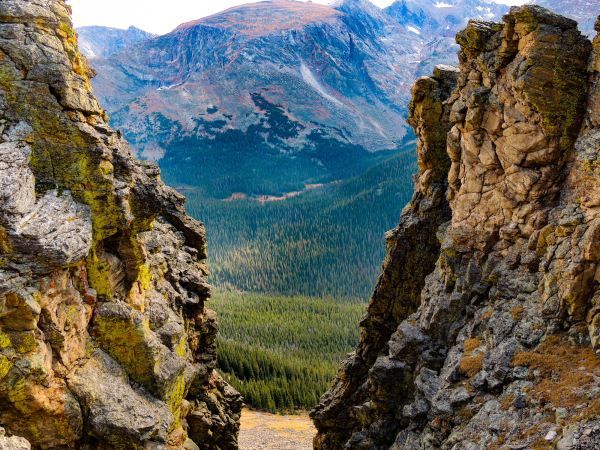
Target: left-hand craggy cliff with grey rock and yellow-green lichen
{"type": "Point", "coordinates": [105, 341]}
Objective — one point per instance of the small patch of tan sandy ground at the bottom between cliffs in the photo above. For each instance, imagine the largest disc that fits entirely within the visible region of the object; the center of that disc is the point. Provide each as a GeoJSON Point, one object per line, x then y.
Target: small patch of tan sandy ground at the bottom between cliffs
{"type": "Point", "coordinates": [261, 431]}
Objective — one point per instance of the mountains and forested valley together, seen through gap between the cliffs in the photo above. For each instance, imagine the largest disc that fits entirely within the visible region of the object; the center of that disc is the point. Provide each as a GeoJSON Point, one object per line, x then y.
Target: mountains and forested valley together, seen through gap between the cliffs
{"type": "Point", "coordinates": [284, 124]}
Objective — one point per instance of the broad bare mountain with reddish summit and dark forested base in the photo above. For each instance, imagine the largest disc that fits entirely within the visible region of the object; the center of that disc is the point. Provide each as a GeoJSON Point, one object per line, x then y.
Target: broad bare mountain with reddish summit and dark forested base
{"type": "Point", "coordinates": [314, 94]}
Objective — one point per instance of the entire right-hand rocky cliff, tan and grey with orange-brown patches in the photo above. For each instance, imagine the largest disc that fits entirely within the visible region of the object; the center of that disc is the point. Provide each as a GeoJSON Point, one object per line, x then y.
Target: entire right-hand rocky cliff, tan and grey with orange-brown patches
{"type": "Point", "coordinates": [483, 329]}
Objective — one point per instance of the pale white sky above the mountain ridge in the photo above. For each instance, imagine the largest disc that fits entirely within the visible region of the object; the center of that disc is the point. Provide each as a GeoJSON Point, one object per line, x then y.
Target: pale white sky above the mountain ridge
{"type": "Point", "coordinates": [160, 16]}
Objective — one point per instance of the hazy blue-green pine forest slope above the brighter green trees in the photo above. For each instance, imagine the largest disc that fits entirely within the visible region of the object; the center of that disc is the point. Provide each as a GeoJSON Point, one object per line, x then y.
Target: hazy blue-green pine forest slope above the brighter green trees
{"type": "Point", "coordinates": [325, 242]}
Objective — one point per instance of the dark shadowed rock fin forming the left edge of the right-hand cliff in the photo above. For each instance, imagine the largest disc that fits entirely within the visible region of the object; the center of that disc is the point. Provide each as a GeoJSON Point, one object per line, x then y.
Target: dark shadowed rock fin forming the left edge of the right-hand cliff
{"type": "Point", "coordinates": [411, 255]}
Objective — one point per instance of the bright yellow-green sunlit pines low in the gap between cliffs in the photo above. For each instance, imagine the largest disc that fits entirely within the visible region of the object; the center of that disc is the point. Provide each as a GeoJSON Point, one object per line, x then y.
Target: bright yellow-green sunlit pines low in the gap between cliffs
{"type": "Point", "coordinates": [280, 352]}
